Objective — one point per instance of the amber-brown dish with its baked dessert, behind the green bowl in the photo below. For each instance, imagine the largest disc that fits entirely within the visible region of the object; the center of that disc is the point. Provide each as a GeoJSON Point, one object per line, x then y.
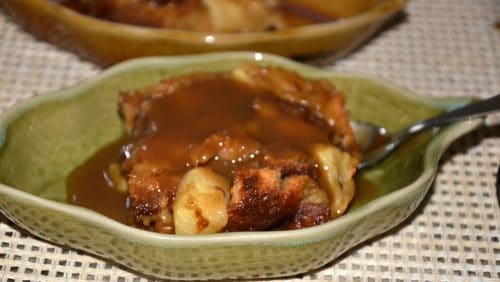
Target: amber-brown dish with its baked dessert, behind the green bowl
{"type": "Point", "coordinates": [138, 28]}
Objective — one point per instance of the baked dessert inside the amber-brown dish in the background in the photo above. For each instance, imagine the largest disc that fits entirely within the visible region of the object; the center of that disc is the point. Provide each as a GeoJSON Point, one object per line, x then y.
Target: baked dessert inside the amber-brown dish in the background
{"type": "Point", "coordinates": [204, 15]}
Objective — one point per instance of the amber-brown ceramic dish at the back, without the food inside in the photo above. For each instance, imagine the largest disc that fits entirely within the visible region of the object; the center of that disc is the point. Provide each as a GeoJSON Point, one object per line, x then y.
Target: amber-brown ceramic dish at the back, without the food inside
{"type": "Point", "coordinates": [107, 42]}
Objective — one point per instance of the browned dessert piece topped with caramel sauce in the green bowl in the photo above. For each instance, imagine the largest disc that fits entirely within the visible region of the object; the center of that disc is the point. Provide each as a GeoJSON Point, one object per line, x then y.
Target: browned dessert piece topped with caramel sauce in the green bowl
{"type": "Point", "coordinates": [258, 148]}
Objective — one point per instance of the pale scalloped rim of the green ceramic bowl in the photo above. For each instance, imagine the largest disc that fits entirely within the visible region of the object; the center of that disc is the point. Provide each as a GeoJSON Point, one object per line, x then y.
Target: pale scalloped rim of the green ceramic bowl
{"type": "Point", "coordinates": [432, 155]}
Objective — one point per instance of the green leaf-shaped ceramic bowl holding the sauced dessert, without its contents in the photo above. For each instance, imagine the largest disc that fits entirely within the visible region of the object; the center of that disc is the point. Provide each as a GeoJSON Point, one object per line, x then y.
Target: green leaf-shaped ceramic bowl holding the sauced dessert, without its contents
{"type": "Point", "coordinates": [42, 140]}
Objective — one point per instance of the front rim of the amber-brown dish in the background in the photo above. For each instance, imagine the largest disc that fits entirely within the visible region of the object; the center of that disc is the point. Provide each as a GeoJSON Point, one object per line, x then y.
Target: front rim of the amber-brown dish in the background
{"type": "Point", "coordinates": [221, 38]}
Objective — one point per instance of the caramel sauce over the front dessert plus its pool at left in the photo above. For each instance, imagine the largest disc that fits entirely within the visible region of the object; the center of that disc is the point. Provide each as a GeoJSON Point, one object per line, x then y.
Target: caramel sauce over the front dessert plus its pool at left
{"type": "Point", "coordinates": [177, 123]}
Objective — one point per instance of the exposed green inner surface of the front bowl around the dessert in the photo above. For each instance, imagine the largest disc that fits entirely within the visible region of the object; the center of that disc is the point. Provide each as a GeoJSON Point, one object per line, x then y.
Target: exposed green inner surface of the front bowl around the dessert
{"type": "Point", "coordinates": [43, 140]}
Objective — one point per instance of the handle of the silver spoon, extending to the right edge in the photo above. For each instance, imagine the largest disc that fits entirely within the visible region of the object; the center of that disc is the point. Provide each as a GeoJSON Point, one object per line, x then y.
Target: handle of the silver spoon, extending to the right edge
{"type": "Point", "coordinates": [476, 109]}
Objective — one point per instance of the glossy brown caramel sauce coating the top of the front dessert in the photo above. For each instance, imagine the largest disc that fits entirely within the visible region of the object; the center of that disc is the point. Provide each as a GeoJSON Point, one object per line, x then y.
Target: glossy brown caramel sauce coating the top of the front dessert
{"type": "Point", "coordinates": [185, 119]}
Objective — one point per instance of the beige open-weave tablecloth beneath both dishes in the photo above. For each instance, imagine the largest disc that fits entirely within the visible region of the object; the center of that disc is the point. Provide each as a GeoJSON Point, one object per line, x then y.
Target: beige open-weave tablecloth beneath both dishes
{"type": "Point", "coordinates": [439, 48]}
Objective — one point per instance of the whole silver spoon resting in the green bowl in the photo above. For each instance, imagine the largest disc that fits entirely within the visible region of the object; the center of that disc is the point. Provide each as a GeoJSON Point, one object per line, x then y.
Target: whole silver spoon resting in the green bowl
{"type": "Point", "coordinates": [366, 133]}
